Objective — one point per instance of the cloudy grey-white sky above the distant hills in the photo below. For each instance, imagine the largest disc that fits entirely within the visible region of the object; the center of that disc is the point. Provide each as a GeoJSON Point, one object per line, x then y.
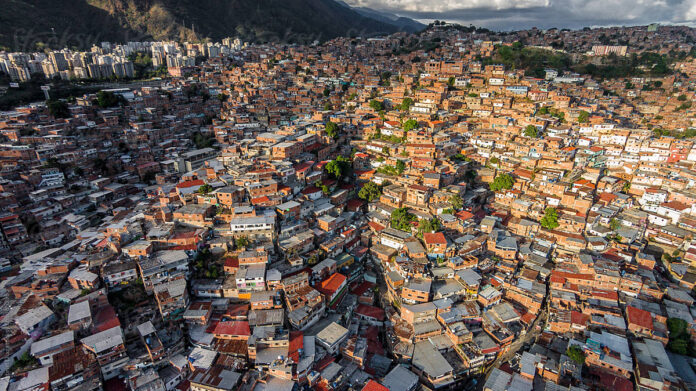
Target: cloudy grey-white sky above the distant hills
{"type": "Point", "coordinates": [520, 14]}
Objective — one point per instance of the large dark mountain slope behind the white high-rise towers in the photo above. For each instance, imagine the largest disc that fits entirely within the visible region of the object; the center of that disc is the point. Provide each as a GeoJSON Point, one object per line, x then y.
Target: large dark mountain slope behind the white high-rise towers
{"type": "Point", "coordinates": [26, 24]}
